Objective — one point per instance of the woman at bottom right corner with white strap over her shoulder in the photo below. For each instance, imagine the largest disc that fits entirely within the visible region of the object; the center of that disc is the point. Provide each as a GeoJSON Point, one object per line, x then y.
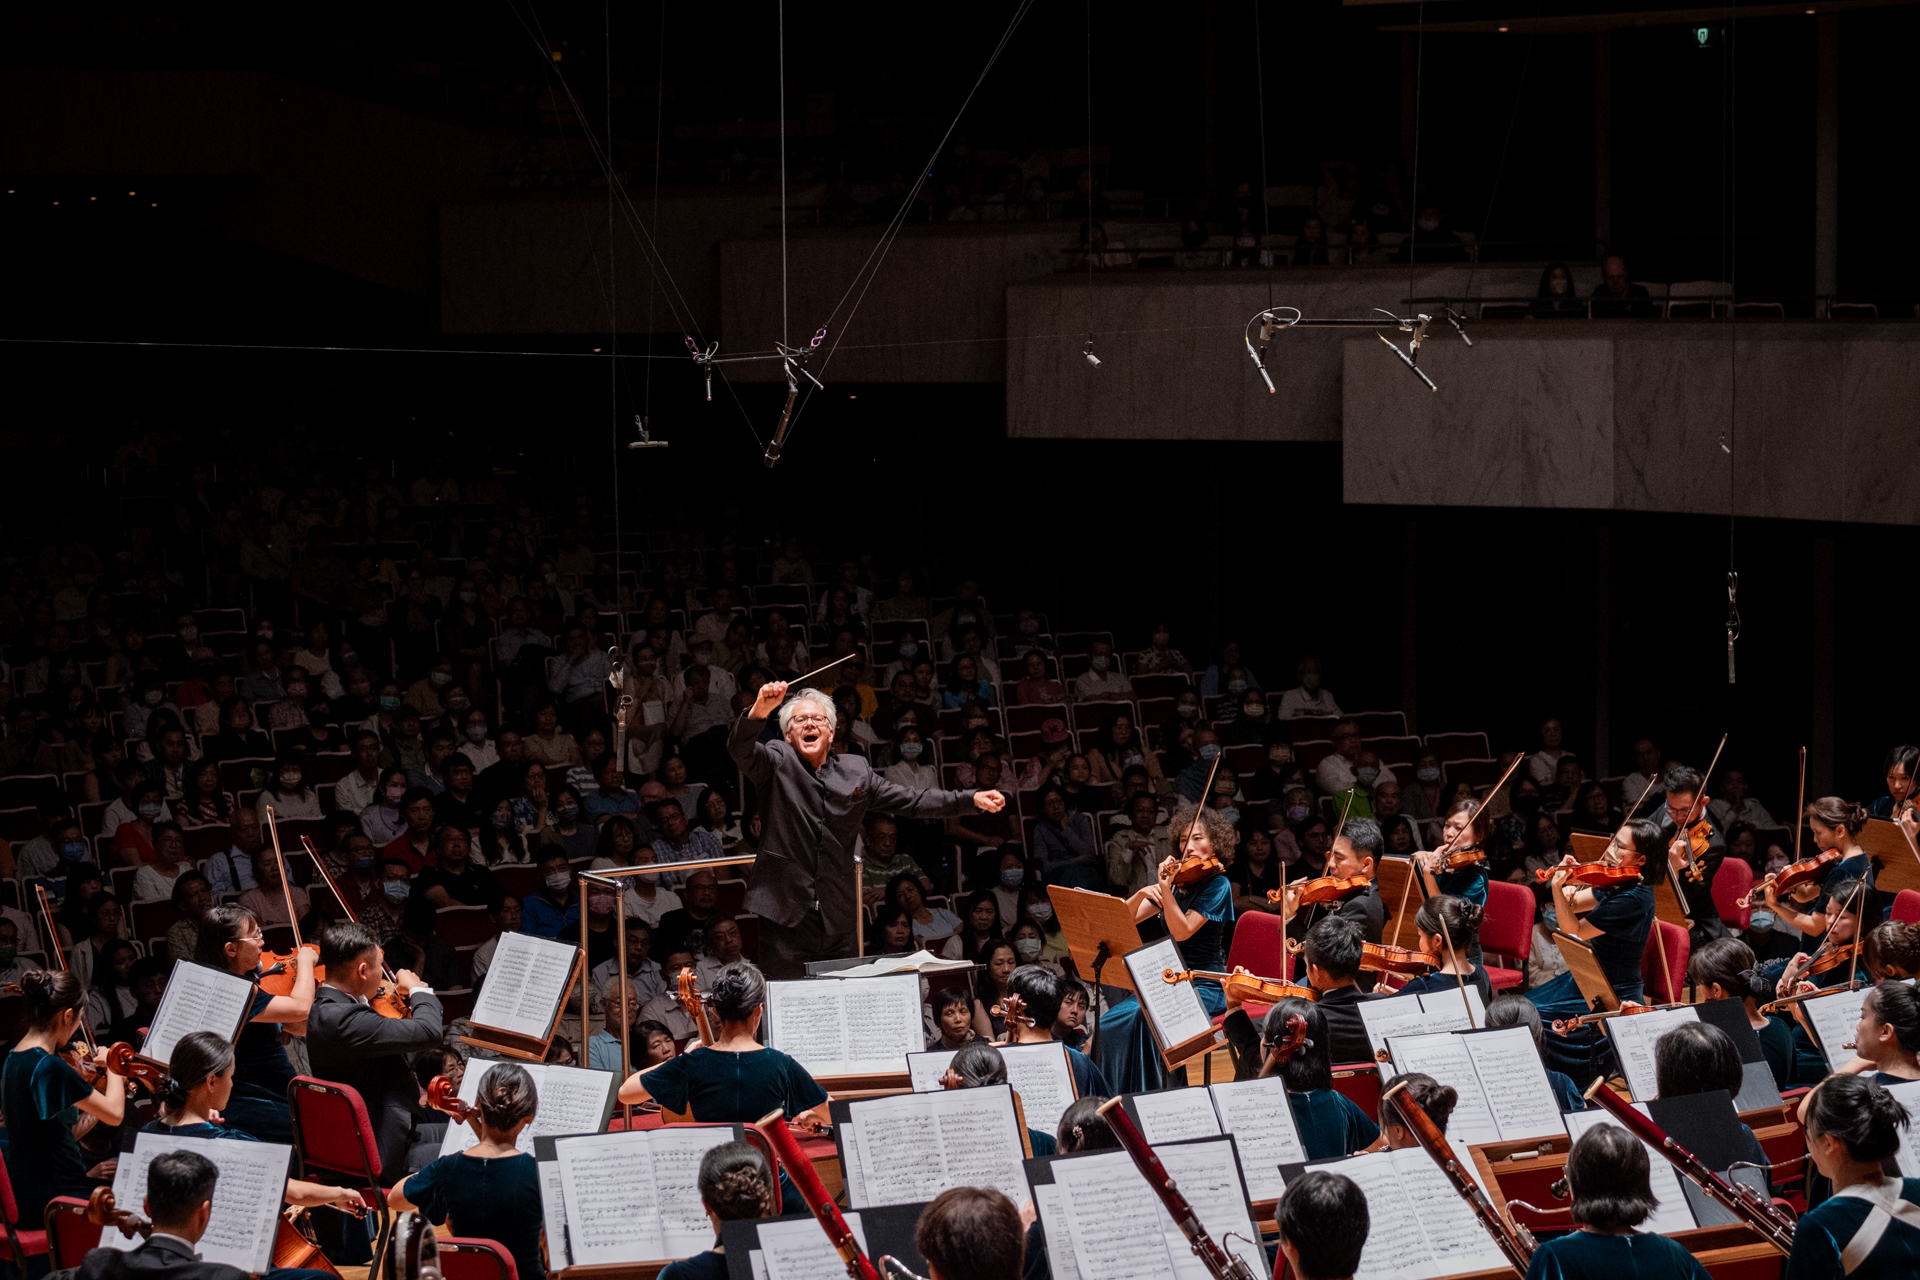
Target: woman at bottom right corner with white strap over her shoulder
{"type": "Point", "coordinates": [1871, 1227]}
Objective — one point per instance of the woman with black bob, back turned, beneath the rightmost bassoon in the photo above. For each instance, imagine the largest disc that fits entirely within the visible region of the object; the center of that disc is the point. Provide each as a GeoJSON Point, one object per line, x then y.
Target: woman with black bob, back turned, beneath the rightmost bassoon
{"type": "Point", "coordinates": [1608, 1173]}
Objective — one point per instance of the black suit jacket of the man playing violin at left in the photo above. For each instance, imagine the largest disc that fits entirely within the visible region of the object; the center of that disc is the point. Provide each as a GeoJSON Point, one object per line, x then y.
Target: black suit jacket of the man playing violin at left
{"type": "Point", "coordinates": [352, 1045]}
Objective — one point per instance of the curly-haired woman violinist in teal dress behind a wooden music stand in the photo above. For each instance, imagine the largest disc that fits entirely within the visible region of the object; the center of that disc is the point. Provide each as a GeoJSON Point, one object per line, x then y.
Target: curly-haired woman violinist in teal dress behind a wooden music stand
{"type": "Point", "coordinates": [1197, 916]}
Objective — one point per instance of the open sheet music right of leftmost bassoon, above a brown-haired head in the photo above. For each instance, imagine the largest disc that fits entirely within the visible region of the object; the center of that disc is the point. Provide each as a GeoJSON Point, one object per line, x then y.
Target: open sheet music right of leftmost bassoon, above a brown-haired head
{"type": "Point", "coordinates": [909, 1149]}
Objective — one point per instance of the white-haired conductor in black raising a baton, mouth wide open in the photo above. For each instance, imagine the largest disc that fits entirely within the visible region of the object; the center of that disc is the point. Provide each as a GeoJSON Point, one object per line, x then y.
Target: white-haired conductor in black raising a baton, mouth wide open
{"type": "Point", "coordinates": [804, 878]}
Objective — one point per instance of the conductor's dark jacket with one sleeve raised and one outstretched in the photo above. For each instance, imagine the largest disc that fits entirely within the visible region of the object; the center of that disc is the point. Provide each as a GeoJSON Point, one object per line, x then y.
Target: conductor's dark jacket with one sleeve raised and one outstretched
{"type": "Point", "coordinates": [813, 818]}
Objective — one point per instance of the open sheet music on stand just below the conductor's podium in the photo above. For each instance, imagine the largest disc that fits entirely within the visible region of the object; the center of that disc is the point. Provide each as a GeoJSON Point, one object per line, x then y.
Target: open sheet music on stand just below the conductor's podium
{"type": "Point", "coordinates": [848, 1028]}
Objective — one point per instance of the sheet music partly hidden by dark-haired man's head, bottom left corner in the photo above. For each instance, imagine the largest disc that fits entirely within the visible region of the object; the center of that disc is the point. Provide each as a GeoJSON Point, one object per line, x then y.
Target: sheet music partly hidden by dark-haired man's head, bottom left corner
{"type": "Point", "coordinates": [247, 1200]}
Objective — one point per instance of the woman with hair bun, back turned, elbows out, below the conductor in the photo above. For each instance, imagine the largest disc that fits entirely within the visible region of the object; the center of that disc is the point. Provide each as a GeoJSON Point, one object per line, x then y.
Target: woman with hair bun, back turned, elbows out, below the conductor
{"type": "Point", "coordinates": [736, 1078]}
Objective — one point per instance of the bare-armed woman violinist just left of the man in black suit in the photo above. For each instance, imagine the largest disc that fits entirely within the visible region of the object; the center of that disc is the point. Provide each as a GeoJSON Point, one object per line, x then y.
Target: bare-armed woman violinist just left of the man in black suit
{"type": "Point", "coordinates": [231, 941]}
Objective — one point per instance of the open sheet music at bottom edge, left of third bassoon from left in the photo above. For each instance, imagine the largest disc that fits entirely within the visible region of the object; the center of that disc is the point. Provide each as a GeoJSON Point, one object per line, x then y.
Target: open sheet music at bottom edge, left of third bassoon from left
{"type": "Point", "coordinates": [1418, 1225]}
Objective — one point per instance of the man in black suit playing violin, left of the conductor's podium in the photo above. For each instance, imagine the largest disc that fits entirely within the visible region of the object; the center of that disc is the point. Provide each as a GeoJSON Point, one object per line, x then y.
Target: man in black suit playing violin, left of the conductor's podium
{"type": "Point", "coordinates": [352, 1045]}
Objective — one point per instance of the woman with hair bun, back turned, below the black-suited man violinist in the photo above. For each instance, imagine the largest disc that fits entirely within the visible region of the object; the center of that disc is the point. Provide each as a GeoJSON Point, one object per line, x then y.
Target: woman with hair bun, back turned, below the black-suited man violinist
{"type": "Point", "coordinates": [491, 1189]}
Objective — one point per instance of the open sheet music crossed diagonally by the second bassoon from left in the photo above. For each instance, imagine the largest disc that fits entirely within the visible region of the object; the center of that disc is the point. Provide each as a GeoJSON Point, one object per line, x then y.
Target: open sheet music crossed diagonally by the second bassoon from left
{"type": "Point", "coordinates": [1120, 1231]}
